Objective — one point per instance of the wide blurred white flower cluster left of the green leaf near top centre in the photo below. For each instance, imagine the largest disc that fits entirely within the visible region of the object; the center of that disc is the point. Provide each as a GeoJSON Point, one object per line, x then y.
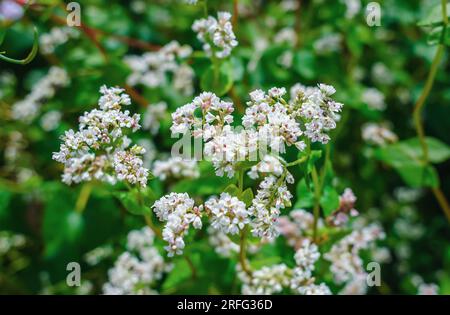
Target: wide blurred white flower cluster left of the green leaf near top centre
{"type": "Point", "coordinates": [152, 68]}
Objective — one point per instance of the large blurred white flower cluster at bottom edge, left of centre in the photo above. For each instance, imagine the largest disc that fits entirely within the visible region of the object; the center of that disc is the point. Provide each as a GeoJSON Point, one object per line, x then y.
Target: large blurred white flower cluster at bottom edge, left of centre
{"type": "Point", "coordinates": [137, 269]}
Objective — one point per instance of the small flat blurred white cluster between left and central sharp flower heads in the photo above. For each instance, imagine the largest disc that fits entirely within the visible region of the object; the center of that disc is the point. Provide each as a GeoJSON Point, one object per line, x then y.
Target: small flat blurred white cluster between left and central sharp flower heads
{"type": "Point", "coordinates": [176, 167]}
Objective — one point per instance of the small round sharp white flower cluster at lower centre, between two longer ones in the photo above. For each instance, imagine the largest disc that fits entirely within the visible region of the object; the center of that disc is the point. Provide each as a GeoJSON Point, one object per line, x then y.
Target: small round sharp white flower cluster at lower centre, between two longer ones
{"type": "Point", "coordinates": [228, 214]}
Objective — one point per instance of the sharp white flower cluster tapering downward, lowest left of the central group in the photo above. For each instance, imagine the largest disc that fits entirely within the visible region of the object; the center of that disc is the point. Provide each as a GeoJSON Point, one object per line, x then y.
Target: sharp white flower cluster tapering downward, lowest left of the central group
{"type": "Point", "coordinates": [179, 211]}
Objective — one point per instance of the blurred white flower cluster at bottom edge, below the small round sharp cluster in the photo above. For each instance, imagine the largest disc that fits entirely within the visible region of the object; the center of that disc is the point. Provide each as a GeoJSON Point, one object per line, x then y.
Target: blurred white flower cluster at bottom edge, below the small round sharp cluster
{"type": "Point", "coordinates": [265, 281]}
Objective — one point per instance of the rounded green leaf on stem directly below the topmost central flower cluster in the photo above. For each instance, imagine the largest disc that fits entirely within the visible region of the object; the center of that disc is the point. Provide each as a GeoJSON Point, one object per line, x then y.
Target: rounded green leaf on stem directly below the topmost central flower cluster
{"type": "Point", "coordinates": [218, 80]}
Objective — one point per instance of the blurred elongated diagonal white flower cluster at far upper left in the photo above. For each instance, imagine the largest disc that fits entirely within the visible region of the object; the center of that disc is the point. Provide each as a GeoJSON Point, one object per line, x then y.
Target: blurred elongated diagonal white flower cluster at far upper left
{"type": "Point", "coordinates": [27, 109]}
